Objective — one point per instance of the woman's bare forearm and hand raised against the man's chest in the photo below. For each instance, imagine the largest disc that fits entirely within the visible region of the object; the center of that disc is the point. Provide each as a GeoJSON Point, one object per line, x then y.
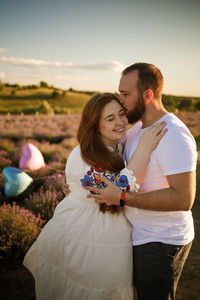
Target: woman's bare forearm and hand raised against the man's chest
{"type": "Point", "coordinates": [147, 143]}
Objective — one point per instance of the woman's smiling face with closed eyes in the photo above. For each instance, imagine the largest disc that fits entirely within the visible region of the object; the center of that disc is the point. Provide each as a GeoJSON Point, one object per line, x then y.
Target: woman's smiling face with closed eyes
{"type": "Point", "coordinates": [113, 123]}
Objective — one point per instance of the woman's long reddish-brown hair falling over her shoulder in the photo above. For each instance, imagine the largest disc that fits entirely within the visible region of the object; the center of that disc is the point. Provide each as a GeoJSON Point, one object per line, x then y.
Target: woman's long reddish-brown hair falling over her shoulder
{"type": "Point", "coordinates": [93, 151]}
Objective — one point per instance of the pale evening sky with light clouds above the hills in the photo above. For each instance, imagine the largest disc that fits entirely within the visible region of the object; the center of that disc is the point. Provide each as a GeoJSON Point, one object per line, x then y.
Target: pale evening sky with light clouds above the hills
{"type": "Point", "coordinates": [85, 44]}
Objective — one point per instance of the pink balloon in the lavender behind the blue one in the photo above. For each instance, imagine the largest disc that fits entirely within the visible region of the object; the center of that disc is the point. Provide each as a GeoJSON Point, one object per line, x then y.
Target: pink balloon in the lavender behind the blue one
{"type": "Point", "coordinates": [32, 158]}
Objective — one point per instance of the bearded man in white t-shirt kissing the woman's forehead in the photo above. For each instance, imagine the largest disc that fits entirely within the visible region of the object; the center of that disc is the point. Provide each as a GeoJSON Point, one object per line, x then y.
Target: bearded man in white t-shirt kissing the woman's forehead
{"type": "Point", "coordinates": [160, 213]}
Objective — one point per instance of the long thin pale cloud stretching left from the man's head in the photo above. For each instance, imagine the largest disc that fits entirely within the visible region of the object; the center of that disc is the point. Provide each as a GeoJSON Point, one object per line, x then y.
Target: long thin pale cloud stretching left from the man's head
{"type": "Point", "coordinates": [34, 63]}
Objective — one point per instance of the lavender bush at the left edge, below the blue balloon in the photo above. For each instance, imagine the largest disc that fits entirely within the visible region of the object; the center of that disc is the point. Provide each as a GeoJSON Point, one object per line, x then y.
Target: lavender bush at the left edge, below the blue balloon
{"type": "Point", "coordinates": [18, 229]}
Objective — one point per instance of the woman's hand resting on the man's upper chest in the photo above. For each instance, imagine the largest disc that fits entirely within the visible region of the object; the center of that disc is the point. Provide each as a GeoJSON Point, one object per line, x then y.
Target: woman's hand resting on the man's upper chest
{"type": "Point", "coordinates": [151, 137]}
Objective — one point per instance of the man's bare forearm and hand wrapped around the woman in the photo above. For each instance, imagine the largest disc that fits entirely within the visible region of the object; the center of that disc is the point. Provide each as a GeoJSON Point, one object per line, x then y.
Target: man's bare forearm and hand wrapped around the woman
{"type": "Point", "coordinates": [179, 196]}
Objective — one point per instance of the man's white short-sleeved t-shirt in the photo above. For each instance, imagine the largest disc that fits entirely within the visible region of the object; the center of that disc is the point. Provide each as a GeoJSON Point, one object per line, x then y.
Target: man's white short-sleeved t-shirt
{"type": "Point", "coordinates": [176, 153]}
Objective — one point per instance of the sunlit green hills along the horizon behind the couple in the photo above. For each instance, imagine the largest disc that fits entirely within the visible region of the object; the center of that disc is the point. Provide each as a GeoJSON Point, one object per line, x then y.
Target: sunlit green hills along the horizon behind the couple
{"type": "Point", "coordinates": [31, 99]}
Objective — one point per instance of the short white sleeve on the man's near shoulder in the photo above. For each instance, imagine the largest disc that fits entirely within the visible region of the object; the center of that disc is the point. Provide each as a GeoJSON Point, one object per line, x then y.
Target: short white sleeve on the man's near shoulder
{"type": "Point", "coordinates": [176, 152]}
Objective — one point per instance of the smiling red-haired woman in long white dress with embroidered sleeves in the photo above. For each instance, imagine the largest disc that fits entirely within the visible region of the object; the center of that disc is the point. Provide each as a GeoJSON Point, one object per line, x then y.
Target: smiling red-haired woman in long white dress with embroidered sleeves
{"type": "Point", "coordinates": [85, 250]}
